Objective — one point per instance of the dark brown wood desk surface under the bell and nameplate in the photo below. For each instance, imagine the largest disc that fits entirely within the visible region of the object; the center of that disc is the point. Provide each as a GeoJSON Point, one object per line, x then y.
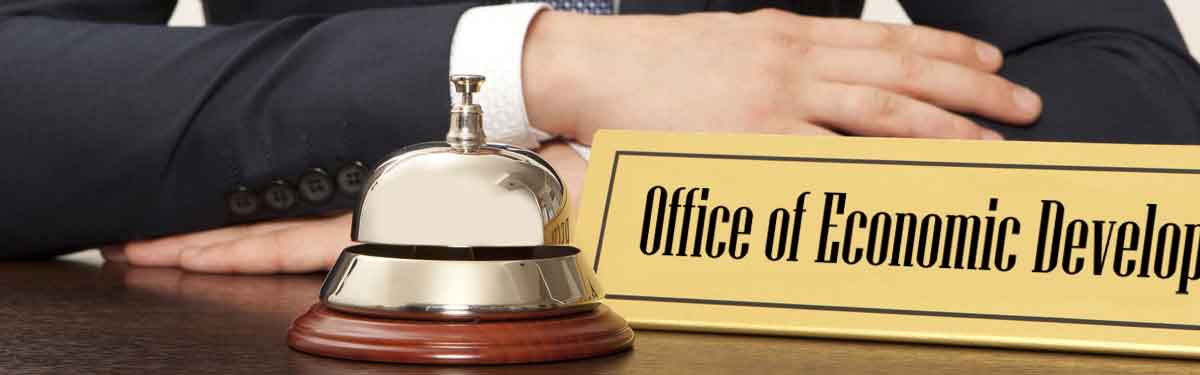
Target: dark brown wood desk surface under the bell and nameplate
{"type": "Point", "coordinates": [71, 318]}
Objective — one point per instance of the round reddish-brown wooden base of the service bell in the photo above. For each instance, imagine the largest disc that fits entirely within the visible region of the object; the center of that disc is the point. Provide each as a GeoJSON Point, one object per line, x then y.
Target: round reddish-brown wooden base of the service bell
{"type": "Point", "coordinates": [331, 334]}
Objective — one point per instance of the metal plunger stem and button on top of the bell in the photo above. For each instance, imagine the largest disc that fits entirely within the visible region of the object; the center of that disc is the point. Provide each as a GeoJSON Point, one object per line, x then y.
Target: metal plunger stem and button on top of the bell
{"type": "Point", "coordinates": [467, 118]}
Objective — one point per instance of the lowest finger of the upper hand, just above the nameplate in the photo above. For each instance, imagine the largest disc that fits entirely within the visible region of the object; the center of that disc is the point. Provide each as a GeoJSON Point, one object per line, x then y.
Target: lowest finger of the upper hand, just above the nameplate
{"type": "Point", "coordinates": [868, 111]}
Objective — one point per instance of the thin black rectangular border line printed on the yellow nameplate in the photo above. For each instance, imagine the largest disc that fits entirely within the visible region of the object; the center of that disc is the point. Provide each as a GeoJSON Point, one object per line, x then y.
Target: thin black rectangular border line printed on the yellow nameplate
{"type": "Point", "coordinates": [613, 182]}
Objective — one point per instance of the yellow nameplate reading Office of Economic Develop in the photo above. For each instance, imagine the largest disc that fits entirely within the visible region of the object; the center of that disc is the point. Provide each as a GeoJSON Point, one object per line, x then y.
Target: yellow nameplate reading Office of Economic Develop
{"type": "Point", "coordinates": [1019, 245]}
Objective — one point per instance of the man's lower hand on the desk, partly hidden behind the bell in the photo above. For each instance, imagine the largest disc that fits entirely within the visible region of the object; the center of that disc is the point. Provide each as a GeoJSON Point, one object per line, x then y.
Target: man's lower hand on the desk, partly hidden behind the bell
{"type": "Point", "coordinates": [284, 247]}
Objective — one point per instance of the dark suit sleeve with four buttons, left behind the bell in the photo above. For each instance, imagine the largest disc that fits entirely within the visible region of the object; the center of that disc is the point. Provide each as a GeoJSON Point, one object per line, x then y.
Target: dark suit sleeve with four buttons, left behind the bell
{"type": "Point", "coordinates": [116, 128]}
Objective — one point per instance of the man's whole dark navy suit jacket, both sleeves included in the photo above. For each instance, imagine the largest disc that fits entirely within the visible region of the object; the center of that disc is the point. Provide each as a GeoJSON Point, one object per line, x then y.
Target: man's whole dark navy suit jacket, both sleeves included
{"type": "Point", "coordinates": [113, 128]}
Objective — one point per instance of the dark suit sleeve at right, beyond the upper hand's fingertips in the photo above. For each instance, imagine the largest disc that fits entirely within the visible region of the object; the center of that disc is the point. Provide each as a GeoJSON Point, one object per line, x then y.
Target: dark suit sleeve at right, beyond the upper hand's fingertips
{"type": "Point", "coordinates": [1108, 70]}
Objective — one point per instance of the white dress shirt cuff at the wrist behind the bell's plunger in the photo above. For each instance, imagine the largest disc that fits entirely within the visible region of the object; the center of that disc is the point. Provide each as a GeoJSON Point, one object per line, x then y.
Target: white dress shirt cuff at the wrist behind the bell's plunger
{"type": "Point", "coordinates": [490, 41]}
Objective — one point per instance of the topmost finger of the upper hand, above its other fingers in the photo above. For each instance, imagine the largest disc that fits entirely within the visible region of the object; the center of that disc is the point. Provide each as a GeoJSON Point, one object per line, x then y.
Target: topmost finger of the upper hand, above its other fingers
{"type": "Point", "coordinates": [857, 34]}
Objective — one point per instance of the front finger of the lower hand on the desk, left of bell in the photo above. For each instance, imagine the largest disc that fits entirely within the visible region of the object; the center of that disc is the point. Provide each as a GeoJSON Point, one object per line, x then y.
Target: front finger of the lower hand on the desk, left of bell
{"type": "Point", "coordinates": [310, 247]}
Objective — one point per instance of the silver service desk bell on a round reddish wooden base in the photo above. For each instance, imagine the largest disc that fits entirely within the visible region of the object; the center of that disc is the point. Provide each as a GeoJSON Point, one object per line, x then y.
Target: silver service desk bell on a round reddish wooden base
{"type": "Point", "coordinates": [463, 259]}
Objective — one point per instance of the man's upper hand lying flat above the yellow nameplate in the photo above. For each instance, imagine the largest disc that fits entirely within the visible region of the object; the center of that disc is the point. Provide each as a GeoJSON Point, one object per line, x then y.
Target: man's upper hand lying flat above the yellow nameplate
{"type": "Point", "coordinates": [767, 72]}
